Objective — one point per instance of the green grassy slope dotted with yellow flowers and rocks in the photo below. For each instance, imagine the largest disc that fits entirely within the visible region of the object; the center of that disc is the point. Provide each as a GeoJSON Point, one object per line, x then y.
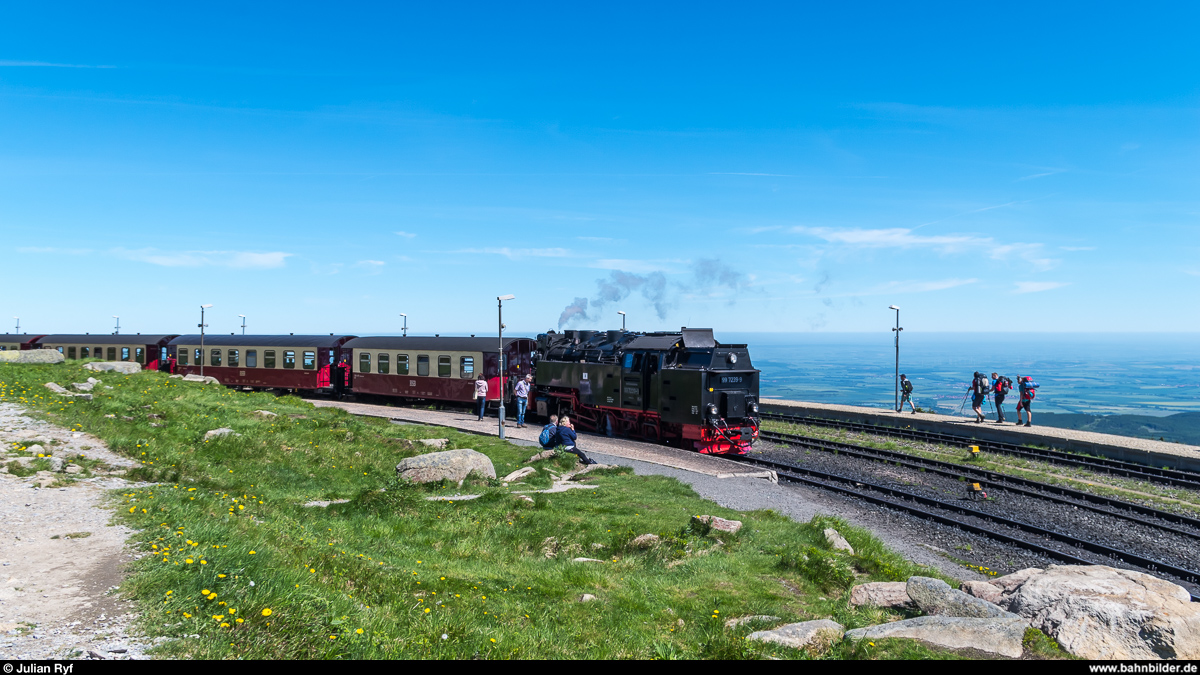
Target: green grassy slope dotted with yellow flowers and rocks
{"type": "Point", "coordinates": [236, 558]}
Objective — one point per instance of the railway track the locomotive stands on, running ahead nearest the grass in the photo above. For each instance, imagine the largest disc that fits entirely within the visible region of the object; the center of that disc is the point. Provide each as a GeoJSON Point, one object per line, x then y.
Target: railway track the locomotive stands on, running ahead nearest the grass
{"type": "Point", "coordinates": [862, 491]}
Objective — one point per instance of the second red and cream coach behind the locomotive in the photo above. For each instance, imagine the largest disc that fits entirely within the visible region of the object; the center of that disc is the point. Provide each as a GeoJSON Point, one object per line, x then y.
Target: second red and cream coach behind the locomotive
{"type": "Point", "coordinates": [261, 362]}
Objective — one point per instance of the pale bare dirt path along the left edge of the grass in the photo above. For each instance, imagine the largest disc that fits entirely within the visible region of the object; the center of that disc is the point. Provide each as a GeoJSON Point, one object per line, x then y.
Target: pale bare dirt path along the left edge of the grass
{"type": "Point", "coordinates": [61, 558]}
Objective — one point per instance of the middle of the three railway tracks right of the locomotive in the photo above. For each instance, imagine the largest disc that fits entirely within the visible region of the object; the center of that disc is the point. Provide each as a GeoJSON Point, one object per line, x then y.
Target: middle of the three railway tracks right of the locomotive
{"type": "Point", "coordinates": [1011, 483]}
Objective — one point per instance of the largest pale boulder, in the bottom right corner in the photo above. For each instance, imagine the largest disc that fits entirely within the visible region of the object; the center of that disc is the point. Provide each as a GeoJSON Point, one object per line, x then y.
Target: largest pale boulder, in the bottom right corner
{"type": "Point", "coordinates": [1103, 613]}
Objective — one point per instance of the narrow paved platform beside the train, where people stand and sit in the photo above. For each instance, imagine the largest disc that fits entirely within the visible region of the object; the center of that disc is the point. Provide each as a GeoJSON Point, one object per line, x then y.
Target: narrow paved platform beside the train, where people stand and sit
{"type": "Point", "coordinates": [625, 449]}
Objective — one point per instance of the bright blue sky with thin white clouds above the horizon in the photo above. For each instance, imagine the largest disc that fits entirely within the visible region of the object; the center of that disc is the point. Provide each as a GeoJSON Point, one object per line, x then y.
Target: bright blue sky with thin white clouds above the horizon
{"type": "Point", "coordinates": [761, 168]}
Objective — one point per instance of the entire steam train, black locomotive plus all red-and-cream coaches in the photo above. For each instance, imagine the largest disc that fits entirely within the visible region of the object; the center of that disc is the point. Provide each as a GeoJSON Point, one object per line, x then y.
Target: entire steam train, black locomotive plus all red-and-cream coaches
{"type": "Point", "coordinates": [682, 389]}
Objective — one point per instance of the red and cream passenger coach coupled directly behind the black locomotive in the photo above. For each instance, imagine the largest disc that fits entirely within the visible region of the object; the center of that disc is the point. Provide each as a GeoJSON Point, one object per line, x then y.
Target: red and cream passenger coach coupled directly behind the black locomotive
{"type": "Point", "coordinates": [435, 368]}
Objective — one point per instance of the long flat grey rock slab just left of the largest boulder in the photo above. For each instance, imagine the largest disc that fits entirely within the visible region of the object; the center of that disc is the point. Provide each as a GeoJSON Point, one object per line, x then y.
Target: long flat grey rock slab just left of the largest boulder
{"type": "Point", "coordinates": [993, 636]}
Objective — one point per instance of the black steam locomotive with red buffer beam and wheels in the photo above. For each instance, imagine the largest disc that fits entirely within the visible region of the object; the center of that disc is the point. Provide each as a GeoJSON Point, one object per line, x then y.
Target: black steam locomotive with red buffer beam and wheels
{"type": "Point", "coordinates": [683, 389]}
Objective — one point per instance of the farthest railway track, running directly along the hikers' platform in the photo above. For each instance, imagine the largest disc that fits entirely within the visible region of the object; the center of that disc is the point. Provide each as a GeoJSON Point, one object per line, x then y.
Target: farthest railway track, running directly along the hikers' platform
{"type": "Point", "coordinates": [1119, 468]}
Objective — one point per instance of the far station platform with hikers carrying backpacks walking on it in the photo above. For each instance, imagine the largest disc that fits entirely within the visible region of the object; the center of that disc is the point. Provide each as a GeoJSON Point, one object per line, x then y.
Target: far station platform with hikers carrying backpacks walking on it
{"type": "Point", "coordinates": [1142, 451]}
